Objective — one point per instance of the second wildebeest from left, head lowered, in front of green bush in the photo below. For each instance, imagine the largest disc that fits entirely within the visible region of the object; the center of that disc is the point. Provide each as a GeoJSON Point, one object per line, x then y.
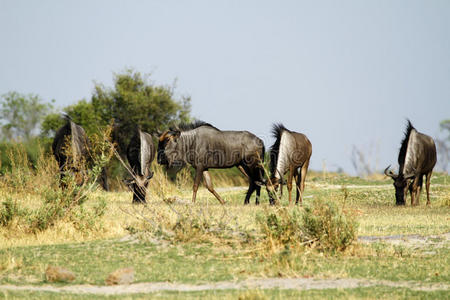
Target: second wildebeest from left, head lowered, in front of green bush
{"type": "Point", "coordinates": [140, 154]}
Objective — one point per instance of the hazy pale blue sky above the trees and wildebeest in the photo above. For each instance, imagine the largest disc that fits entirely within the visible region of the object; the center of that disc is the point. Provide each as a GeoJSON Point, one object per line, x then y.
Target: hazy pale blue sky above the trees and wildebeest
{"type": "Point", "coordinates": [343, 72]}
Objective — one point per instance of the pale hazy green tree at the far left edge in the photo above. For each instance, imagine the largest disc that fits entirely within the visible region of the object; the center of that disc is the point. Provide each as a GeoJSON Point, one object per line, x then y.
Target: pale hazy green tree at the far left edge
{"type": "Point", "coordinates": [21, 115]}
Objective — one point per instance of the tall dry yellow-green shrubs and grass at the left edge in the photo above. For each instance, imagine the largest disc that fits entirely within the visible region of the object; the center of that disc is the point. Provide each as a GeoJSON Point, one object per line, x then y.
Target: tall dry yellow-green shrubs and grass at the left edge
{"type": "Point", "coordinates": [41, 181]}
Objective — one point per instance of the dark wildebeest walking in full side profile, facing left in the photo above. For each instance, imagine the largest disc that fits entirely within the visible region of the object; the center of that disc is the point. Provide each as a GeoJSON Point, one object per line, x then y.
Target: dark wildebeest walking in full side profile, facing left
{"type": "Point", "coordinates": [205, 147]}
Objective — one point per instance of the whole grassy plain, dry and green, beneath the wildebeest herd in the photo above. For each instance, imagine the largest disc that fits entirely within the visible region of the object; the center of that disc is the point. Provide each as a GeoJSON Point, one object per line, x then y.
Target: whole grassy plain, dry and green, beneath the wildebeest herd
{"type": "Point", "coordinates": [147, 238]}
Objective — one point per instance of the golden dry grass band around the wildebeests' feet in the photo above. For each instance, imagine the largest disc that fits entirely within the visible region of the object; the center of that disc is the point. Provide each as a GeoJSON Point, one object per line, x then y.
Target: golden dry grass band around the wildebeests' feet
{"type": "Point", "coordinates": [169, 204]}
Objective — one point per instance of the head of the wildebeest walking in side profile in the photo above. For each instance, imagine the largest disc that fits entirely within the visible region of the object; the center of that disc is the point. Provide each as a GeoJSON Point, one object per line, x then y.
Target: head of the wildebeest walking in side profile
{"type": "Point", "coordinates": [169, 149]}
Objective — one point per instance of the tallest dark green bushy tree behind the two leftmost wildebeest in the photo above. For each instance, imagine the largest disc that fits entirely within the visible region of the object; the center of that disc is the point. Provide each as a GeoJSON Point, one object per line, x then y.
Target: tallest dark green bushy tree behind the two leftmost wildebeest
{"type": "Point", "coordinates": [135, 101]}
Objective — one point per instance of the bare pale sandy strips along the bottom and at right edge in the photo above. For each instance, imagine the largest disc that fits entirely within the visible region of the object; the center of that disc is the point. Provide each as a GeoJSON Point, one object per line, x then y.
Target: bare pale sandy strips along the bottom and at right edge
{"type": "Point", "coordinates": [262, 283]}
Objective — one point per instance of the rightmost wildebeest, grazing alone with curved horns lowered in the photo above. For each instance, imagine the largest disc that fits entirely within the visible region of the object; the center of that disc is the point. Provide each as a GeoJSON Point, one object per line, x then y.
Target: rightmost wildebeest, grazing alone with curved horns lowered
{"type": "Point", "coordinates": [416, 158]}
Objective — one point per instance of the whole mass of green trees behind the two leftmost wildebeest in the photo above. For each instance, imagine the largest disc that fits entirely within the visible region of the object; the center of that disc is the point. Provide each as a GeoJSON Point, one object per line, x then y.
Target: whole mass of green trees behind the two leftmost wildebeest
{"type": "Point", "coordinates": [132, 101]}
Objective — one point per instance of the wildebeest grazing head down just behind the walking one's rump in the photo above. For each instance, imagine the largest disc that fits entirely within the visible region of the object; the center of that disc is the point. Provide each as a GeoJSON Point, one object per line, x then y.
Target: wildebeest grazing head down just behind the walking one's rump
{"type": "Point", "coordinates": [289, 154]}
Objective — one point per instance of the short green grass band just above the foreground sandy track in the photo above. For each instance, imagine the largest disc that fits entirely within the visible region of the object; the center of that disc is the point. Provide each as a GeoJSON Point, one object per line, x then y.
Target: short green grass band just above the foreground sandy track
{"type": "Point", "coordinates": [204, 262]}
